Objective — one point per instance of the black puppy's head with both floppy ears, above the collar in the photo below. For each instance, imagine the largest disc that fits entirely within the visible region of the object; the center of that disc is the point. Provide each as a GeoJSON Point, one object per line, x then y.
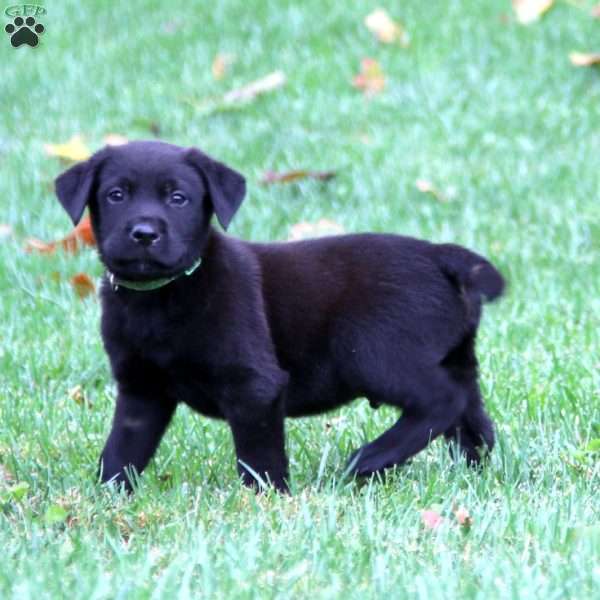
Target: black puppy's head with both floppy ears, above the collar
{"type": "Point", "coordinates": [150, 204]}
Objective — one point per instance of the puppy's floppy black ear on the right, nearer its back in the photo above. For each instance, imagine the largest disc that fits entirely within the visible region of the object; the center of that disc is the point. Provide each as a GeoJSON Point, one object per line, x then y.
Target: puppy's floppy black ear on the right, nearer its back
{"type": "Point", "coordinates": [226, 187]}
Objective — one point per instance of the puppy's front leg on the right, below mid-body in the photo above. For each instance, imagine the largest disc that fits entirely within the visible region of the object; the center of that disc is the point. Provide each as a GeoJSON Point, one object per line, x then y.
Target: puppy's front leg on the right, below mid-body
{"type": "Point", "coordinates": [258, 435]}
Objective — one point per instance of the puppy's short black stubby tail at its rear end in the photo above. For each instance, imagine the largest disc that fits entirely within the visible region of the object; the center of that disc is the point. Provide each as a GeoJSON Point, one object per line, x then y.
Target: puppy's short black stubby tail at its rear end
{"type": "Point", "coordinates": [474, 276]}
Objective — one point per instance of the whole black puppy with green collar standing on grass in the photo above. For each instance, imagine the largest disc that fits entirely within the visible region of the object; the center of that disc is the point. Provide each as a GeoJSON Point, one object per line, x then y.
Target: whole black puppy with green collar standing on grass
{"type": "Point", "coordinates": [252, 333]}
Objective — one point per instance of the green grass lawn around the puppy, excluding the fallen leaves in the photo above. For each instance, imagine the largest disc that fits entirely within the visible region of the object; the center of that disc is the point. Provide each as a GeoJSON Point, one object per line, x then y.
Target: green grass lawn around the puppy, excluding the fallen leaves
{"type": "Point", "coordinates": [493, 113]}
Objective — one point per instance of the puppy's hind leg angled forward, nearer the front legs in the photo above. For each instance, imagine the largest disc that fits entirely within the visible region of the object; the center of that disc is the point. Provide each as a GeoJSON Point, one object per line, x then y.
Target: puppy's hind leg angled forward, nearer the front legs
{"type": "Point", "coordinates": [430, 407]}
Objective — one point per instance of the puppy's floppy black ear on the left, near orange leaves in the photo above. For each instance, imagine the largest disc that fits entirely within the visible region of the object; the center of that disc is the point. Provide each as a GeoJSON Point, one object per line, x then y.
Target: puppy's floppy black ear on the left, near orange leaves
{"type": "Point", "coordinates": [74, 186]}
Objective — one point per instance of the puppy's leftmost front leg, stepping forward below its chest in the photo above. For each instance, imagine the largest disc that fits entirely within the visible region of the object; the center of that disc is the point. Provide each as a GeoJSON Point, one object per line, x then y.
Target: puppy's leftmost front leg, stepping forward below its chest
{"type": "Point", "coordinates": [138, 426]}
